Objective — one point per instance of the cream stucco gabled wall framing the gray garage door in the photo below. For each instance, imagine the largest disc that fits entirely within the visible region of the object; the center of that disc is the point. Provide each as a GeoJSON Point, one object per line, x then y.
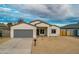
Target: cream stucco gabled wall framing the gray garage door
{"type": "Point", "coordinates": [22, 26]}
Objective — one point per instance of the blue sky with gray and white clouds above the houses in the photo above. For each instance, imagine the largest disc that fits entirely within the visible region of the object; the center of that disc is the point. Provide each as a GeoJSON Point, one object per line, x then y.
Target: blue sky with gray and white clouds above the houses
{"type": "Point", "coordinates": [58, 14]}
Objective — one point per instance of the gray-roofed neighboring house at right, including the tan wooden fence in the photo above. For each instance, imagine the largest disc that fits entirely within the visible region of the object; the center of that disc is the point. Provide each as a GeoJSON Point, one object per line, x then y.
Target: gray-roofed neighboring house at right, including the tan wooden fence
{"type": "Point", "coordinates": [70, 30]}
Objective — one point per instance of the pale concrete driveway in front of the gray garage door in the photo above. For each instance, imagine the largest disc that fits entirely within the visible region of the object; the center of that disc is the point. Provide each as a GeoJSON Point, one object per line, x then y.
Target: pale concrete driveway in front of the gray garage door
{"type": "Point", "coordinates": [17, 46]}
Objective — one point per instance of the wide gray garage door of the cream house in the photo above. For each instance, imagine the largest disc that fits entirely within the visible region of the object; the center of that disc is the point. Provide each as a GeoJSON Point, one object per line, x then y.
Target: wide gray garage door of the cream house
{"type": "Point", "coordinates": [23, 33]}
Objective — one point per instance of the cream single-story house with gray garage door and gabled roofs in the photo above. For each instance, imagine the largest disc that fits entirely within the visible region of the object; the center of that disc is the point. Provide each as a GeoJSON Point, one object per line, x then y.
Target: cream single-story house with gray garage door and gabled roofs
{"type": "Point", "coordinates": [34, 29]}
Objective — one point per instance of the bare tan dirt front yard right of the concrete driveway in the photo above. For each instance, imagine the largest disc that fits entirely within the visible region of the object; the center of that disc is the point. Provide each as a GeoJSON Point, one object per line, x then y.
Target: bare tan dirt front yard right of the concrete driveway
{"type": "Point", "coordinates": [56, 45]}
